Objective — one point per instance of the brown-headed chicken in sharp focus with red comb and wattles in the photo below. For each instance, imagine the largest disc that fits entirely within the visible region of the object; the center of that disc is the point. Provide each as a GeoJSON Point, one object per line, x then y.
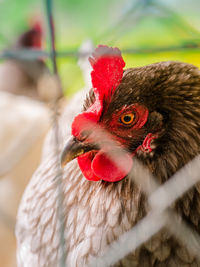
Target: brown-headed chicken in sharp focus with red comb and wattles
{"type": "Point", "coordinates": [152, 112]}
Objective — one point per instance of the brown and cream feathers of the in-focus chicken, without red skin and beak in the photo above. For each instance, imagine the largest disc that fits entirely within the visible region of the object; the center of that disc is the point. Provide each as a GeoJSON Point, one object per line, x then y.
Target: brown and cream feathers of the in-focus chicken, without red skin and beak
{"type": "Point", "coordinates": [97, 213]}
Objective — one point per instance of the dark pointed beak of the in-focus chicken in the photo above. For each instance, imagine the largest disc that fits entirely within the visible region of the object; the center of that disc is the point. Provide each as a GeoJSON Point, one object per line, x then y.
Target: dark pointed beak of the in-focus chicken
{"type": "Point", "coordinates": [75, 148]}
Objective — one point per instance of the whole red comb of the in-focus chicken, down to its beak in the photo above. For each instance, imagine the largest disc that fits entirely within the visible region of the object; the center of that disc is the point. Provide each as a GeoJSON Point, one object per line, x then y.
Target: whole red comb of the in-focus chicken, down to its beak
{"type": "Point", "coordinates": [107, 73]}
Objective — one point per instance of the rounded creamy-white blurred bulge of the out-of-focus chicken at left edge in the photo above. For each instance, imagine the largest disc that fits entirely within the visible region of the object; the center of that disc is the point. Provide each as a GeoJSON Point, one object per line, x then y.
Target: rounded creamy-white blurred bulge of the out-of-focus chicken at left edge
{"type": "Point", "coordinates": [22, 122]}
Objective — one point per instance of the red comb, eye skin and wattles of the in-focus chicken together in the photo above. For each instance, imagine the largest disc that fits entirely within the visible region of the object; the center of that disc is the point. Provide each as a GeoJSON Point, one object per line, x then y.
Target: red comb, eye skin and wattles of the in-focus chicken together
{"type": "Point", "coordinates": [106, 77]}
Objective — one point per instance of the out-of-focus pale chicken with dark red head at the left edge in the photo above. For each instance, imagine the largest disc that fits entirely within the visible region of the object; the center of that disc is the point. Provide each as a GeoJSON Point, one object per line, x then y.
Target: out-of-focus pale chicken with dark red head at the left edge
{"type": "Point", "coordinates": [20, 145]}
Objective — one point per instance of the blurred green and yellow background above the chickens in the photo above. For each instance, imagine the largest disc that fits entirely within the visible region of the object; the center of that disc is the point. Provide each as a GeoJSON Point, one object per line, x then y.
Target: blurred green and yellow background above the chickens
{"type": "Point", "coordinates": [127, 24]}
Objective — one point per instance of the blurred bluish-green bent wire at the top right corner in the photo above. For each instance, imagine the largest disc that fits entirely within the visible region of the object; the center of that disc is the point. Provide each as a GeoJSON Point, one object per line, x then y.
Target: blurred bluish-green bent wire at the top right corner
{"type": "Point", "coordinates": [136, 11]}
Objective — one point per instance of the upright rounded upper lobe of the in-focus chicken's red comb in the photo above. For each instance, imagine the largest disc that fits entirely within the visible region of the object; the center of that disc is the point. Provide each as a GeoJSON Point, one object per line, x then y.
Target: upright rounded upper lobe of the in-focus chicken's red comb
{"type": "Point", "coordinates": [107, 73]}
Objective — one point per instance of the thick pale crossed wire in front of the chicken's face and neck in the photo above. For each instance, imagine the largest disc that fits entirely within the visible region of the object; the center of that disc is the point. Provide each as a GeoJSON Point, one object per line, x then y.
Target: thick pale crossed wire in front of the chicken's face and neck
{"type": "Point", "coordinates": [160, 214]}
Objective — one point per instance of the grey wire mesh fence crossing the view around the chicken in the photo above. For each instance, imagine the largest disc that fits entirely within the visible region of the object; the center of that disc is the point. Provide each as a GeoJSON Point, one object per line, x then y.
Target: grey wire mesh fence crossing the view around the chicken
{"type": "Point", "coordinates": [161, 214]}
